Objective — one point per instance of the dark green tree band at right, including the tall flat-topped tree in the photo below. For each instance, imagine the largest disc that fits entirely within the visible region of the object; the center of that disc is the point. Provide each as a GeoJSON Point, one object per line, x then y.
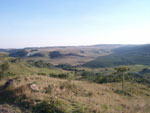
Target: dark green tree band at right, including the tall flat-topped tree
{"type": "Point", "coordinates": [120, 75]}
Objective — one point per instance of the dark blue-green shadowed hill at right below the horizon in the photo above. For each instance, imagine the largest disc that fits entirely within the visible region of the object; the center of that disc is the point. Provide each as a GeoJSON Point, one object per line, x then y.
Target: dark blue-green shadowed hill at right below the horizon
{"type": "Point", "coordinates": [125, 55]}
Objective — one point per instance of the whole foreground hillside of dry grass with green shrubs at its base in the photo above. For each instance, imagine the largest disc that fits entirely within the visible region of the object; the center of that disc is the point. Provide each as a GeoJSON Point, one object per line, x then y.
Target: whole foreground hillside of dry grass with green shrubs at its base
{"type": "Point", "coordinates": [74, 96]}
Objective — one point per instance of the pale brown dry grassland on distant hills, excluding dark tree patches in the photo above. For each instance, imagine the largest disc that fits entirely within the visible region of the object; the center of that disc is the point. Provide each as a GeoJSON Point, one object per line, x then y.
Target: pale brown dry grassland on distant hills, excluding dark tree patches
{"type": "Point", "coordinates": [89, 53]}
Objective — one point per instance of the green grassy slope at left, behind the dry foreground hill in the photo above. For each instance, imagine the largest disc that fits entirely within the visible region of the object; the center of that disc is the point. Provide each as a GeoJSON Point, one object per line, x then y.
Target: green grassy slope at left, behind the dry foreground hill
{"type": "Point", "coordinates": [19, 66]}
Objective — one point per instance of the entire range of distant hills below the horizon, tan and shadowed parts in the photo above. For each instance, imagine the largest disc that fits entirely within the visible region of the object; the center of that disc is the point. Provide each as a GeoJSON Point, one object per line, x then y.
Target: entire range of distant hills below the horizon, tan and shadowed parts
{"type": "Point", "coordinates": [102, 55]}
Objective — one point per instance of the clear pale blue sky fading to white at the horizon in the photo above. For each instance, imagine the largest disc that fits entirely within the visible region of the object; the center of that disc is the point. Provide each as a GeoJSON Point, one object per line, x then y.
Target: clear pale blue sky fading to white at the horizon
{"type": "Point", "coordinates": [39, 23]}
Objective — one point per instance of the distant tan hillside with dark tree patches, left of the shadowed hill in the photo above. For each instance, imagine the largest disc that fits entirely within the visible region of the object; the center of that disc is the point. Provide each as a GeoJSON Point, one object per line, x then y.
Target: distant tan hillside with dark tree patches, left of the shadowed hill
{"type": "Point", "coordinates": [73, 55]}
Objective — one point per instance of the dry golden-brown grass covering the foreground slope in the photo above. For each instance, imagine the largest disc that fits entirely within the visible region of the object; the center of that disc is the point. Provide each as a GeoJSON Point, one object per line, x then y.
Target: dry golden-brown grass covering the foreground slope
{"type": "Point", "coordinates": [95, 98]}
